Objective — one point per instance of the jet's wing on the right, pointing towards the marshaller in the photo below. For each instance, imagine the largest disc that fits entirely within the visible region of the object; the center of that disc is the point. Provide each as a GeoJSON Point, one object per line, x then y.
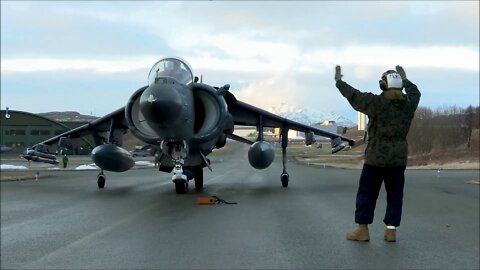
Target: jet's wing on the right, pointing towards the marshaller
{"type": "Point", "coordinates": [247, 115]}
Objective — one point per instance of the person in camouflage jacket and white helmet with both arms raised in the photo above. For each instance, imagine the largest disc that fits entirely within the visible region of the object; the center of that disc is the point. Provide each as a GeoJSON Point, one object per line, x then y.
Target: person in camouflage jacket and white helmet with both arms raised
{"type": "Point", "coordinates": [389, 118]}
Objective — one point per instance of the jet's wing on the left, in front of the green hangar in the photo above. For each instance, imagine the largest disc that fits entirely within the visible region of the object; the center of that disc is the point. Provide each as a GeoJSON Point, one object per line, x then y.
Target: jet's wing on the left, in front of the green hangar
{"type": "Point", "coordinates": [95, 127]}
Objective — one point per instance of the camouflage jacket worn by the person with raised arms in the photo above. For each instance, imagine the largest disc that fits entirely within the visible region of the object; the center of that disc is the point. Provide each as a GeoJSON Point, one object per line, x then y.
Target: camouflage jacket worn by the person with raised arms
{"type": "Point", "coordinates": [389, 118]}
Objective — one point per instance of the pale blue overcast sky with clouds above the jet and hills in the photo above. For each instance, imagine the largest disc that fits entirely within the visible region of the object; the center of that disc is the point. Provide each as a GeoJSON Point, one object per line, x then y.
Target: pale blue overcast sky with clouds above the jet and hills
{"type": "Point", "coordinates": [91, 56]}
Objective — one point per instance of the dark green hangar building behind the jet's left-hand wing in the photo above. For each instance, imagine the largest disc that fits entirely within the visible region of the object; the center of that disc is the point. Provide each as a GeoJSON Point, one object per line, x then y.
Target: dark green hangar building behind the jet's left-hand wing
{"type": "Point", "coordinates": [19, 130]}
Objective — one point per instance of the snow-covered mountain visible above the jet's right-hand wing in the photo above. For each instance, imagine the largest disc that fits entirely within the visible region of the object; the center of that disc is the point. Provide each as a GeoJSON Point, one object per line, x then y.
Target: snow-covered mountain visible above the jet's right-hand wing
{"type": "Point", "coordinates": [309, 116]}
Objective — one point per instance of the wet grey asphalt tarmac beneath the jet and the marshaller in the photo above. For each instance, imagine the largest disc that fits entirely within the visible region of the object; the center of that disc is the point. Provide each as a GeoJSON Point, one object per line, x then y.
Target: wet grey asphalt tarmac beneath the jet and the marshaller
{"type": "Point", "coordinates": [138, 222]}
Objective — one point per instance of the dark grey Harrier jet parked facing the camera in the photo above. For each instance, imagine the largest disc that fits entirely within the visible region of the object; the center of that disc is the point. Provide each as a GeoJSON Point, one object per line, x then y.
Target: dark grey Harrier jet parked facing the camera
{"type": "Point", "coordinates": [185, 119]}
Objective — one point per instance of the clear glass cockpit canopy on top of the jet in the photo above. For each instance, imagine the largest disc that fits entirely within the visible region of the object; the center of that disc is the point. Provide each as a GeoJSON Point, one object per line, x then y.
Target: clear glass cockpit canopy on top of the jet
{"type": "Point", "coordinates": [172, 67]}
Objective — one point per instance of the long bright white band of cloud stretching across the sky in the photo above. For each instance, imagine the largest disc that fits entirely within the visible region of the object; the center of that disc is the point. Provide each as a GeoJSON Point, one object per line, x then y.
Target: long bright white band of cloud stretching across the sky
{"type": "Point", "coordinates": [273, 57]}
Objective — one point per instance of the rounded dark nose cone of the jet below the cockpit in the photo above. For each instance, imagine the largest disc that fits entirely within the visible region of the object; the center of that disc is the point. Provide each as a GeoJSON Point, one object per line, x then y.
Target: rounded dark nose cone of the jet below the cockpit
{"type": "Point", "coordinates": [161, 104]}
